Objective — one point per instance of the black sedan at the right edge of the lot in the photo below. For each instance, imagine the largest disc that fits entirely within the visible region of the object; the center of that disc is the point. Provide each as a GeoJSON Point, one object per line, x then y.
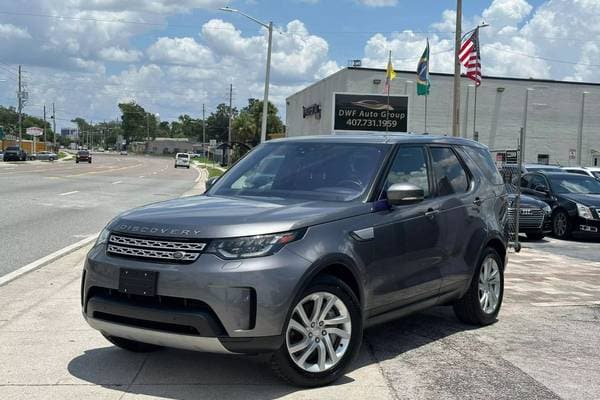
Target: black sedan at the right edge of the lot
{"type": "Point", "coordinates": [574, 199]}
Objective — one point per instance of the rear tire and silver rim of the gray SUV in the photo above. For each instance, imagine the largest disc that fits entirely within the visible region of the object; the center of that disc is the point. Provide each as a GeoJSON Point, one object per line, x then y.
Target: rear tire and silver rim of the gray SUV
{"type": "Point", "coordinates": [469, 308]}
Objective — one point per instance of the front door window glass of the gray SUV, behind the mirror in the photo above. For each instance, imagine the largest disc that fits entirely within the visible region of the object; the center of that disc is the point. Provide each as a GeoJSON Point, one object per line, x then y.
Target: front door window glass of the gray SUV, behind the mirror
{"type": "Point", "coordinates": [410, 166]}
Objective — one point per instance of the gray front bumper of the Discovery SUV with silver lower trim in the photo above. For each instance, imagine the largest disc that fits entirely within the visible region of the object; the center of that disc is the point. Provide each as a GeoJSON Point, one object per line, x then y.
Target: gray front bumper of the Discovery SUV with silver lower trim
{"type": "Point", "coordinates": [209, 305]}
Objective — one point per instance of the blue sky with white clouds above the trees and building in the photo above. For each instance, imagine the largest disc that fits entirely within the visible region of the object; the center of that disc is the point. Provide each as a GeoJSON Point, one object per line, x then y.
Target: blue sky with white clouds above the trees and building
{"type": "Point", "coordinates": [173, 56]}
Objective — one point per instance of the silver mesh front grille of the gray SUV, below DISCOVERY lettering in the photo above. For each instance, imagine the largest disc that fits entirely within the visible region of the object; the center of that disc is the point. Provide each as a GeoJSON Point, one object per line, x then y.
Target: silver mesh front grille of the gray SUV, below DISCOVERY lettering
{"type": "Point", "coordinates": [160, 250]}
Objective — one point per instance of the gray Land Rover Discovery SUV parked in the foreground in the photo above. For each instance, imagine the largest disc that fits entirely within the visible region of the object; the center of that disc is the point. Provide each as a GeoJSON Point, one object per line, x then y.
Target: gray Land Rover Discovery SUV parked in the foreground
{"type": "Point", "coordinates": [300, 246]}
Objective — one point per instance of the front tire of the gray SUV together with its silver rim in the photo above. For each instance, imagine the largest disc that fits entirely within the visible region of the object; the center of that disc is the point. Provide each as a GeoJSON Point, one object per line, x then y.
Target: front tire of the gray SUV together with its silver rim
{"type": "Point", "coordinates": [345, 308]}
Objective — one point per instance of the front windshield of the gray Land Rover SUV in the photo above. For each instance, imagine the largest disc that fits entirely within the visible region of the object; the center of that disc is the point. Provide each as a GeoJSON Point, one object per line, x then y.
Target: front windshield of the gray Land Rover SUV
{"type": "Point", "coordinates": [305, 170]}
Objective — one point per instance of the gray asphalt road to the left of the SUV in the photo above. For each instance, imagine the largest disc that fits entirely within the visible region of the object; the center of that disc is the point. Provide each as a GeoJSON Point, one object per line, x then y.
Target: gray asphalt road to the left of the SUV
{"type": "Point", "coordinates": [46, 206]}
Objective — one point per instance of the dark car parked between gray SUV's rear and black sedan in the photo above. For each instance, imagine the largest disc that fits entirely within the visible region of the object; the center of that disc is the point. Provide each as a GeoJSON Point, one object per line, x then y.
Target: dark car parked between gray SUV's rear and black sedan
{"type": "Point", "coordinates": [535, 216]}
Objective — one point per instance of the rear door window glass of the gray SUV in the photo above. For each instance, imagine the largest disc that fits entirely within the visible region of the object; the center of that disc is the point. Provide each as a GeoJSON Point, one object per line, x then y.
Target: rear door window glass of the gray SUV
{"type": "Point", "coordinates": [449, 173]}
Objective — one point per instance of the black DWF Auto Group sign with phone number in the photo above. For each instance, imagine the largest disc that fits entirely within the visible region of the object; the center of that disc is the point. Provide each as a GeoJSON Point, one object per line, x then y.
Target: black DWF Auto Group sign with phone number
{"type": "Point", "coordinates": [367, 112]}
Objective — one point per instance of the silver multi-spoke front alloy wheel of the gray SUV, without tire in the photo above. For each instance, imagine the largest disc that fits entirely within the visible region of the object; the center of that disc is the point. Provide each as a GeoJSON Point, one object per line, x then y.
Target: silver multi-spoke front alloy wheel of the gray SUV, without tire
{"type": "Point", "coordinates": [319, 331]}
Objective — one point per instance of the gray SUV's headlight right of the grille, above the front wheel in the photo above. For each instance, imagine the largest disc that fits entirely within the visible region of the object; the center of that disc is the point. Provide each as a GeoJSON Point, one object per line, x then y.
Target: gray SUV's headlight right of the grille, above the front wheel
{"type": "Point", "coordinates": [252, 246]}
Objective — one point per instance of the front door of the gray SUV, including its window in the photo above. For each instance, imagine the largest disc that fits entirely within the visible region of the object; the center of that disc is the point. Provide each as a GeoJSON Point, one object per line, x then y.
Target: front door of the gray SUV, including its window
{"type": "Point", "coordinates": [406, 268]}
